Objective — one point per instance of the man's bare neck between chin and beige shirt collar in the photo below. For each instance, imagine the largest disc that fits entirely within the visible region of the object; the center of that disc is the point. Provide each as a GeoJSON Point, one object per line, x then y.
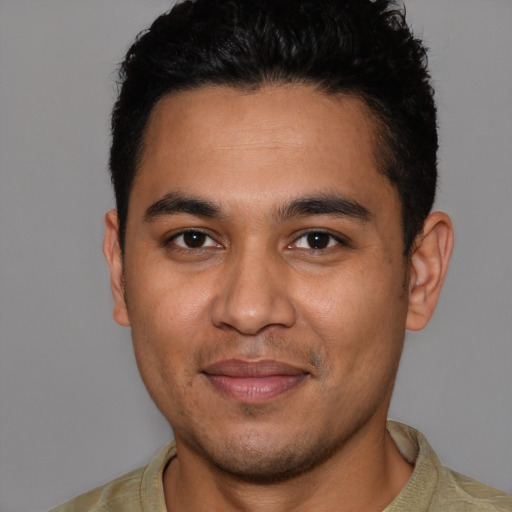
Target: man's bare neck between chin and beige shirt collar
{"type": "Point", "coordinates": [366, 474]}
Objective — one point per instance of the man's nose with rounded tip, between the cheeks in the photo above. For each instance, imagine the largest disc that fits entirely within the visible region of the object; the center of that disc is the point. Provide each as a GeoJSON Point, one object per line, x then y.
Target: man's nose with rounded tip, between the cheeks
{"type": "Point", "coordinates": [253, 296]}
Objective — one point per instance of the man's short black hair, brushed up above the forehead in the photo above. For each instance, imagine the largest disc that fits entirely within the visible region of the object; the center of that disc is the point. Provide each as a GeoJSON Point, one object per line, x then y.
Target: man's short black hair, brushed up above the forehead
{"type": "Point", "coordinates": [362, 48]}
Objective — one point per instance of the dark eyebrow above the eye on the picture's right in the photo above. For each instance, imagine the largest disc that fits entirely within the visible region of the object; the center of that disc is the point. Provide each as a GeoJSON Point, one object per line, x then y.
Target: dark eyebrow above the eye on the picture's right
{"type": "Point", "coordinates": [323, 204]}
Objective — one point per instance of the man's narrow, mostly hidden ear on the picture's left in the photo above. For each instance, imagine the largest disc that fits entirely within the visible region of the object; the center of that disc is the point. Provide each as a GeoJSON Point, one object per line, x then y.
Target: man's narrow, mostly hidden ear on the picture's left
{"type": "Point", "coordinates": [112, 252]}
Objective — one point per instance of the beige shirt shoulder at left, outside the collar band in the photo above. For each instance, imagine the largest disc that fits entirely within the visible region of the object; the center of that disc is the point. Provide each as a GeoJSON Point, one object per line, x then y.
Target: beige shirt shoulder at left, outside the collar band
{"type": "Point", "coordinates": [123, 493]}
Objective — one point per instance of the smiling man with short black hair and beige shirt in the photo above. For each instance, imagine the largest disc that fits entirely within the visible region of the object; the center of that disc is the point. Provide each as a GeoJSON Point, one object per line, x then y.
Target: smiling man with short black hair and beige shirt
{"type": "Point", "coordinates": [274, 164]}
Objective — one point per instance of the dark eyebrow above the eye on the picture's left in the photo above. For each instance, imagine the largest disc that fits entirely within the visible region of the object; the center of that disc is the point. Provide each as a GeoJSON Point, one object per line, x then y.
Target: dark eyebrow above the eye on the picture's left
{"type": "Point", "coordinates": [173, 203]}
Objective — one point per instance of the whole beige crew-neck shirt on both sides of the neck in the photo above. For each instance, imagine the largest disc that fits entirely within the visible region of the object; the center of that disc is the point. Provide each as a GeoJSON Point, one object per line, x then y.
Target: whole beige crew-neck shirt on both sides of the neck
{"type": "Point", "coordinates": [431, 488]}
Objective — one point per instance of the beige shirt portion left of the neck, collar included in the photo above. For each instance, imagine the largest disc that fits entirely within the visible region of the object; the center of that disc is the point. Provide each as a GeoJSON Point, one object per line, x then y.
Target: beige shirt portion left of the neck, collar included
{"type": "Point", "coordinates": [137, 491]}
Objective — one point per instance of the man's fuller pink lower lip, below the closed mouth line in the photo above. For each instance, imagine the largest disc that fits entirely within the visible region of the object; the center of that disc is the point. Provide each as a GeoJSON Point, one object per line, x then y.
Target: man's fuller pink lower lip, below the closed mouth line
{"type": "Point", "coordinates": [254, 390]}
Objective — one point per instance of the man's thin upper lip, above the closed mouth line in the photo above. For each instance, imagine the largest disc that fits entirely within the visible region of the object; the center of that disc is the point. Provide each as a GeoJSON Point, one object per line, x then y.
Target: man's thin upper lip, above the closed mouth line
{"type": "Point", "coordinates": [252, 369]}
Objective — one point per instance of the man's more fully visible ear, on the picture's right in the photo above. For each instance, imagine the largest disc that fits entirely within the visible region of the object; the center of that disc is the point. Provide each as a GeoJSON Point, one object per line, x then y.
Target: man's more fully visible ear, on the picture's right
{"type": "Point", "coordinates": [428, 265]}
